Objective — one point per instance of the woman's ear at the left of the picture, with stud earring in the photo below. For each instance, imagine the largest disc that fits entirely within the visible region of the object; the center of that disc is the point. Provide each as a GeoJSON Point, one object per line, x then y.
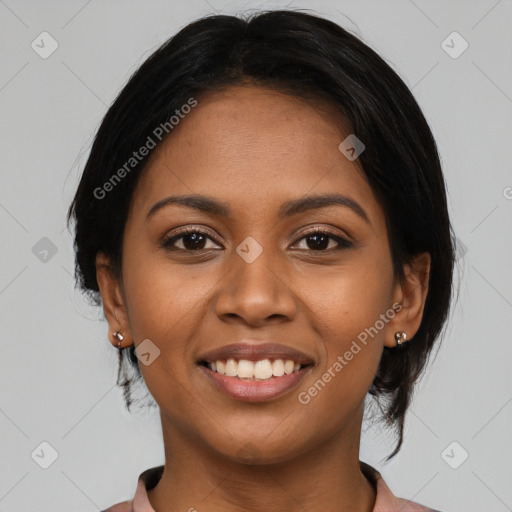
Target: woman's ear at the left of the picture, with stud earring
{"type": "Point", "coordinates": [112, 297]}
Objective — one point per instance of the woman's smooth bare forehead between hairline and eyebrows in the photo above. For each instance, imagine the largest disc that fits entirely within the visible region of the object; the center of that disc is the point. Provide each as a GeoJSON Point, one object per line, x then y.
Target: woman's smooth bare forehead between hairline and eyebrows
{"type": "Point", "coordinates": [251, 147]}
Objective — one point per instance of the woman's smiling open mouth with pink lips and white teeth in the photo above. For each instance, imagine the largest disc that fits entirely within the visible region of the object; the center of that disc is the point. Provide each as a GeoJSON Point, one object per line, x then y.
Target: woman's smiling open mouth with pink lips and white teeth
{"type": "Point", "coordinates": [255, 372]}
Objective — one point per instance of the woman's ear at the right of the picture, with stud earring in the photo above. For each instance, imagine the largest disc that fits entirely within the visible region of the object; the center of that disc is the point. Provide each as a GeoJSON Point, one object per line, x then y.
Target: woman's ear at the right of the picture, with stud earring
{"type": "Point", "coordinates": [411, 294]}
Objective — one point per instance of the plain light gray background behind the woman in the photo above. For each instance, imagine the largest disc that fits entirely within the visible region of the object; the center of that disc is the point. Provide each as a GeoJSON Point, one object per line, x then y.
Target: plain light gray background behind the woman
{"type": "Point", "coordinates": [57, 368]}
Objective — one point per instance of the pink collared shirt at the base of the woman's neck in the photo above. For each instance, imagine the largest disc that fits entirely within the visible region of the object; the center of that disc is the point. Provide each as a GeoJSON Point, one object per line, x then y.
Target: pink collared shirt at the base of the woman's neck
{"type": "Point", "coordinates": [386, 501]}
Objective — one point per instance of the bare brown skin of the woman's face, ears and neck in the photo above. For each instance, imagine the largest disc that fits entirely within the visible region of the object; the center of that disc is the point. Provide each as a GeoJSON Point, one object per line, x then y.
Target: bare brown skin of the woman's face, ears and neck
{"type": "Point", "coordinates": [254, 149]}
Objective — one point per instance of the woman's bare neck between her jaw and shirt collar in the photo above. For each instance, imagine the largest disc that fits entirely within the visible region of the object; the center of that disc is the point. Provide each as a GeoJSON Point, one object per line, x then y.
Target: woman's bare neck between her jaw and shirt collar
{"type": "Point", "coordinates": [327, 478]}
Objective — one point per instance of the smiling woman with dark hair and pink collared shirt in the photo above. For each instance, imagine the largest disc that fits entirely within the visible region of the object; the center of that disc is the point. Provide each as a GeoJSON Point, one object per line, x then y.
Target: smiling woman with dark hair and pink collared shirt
{"type": "Point", "coordinates": [263, 218]}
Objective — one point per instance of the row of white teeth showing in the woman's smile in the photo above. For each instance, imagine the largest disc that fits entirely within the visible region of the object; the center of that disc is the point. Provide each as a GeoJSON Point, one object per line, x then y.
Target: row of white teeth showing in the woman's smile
{"type": "Point", "coordinates": [255, 370]}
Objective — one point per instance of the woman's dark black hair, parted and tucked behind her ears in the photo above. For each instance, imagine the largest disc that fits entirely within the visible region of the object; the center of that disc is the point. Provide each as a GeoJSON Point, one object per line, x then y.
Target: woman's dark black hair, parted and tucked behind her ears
{"type": "Point", "coordinates": [303, 55]}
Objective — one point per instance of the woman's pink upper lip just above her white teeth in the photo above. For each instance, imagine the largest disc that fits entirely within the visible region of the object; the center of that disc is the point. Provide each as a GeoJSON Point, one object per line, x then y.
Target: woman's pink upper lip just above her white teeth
{"type": "Point", "coordinates": [256, 352]}
